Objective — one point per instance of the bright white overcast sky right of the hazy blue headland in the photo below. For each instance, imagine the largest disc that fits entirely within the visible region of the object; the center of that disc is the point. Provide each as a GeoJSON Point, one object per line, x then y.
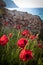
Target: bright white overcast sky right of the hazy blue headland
{"type": "Point", "coordinates": [28, 3]}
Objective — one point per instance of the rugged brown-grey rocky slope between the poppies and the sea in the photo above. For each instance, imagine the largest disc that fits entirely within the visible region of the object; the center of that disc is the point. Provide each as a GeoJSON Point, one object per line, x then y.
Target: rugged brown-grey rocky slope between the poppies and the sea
{"type": "Point", "coordinates": [27, 21]}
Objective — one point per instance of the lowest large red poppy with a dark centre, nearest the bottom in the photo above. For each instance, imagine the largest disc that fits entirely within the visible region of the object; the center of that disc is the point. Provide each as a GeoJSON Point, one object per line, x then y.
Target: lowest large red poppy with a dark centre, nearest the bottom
{"type": "Point", "coordinates": [26, 55]}
